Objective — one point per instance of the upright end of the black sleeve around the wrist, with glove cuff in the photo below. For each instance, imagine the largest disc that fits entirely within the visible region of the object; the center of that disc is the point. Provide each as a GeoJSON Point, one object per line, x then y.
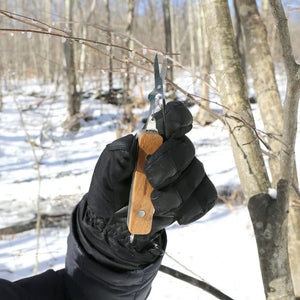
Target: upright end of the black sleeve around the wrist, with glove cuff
{"type": "Point", "coordinates": [103, 265]}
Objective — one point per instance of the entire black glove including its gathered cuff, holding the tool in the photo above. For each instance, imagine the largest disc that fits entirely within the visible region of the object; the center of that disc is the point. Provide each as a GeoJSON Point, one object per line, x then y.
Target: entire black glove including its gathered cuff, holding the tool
{"type": "Point", "coordinates": [182, 191]}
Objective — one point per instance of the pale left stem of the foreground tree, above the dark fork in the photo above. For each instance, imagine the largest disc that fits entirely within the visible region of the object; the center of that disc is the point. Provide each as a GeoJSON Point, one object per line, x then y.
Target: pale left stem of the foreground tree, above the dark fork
{"type": "Point", "coordinates": [232, 88]}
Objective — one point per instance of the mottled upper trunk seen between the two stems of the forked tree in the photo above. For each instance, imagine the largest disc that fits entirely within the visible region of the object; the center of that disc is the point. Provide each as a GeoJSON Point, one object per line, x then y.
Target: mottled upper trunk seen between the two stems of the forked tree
{"type": "Point", "coordinates": [265, 86]}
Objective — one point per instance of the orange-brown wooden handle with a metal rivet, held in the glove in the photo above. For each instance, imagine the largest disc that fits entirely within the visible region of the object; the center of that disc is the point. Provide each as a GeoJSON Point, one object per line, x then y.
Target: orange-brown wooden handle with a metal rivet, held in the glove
{"type": "Point", "coordinates": [141, 208]}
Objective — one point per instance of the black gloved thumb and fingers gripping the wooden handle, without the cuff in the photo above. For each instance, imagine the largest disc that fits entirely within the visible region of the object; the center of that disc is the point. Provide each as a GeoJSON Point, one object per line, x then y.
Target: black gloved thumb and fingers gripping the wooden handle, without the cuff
{"type": "Point", "coordinates": [182, 191]}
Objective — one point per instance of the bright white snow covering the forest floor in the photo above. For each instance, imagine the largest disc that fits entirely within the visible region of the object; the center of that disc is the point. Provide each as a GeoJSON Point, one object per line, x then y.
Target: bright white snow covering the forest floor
{"type": "Point", "coordinates": [220, 248]}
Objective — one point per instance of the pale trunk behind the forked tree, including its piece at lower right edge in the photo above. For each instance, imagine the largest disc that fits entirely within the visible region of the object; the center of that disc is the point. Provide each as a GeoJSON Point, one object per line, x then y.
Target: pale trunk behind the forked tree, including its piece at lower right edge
{"type": "Point", "coordinates": [269, 102]}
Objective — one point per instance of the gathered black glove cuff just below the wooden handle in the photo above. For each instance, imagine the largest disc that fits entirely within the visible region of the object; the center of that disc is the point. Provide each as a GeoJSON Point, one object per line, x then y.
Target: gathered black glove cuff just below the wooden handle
{"type": "Point", "coordinates": [111, 239]}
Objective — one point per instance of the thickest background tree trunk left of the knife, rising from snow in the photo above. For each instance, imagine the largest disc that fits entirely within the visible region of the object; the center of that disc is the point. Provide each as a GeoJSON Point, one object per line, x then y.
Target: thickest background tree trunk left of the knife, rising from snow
{"type": "Point", "coordinates": [72, 96]}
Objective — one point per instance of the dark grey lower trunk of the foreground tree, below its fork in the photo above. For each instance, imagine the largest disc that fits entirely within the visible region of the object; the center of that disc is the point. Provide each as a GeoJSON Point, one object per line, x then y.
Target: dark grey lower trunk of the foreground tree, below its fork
{"type": "Point", "coordinates": [269, 218]}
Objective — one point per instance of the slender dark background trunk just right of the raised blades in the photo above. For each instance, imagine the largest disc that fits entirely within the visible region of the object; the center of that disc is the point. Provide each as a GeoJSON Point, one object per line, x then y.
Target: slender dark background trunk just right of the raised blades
{"type": "Point", "coordinates": [168, 41]}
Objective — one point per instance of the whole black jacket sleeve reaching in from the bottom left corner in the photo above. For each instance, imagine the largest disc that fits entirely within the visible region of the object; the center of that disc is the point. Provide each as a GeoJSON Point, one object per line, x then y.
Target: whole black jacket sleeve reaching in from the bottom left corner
{"type": "Point", "coordinates": [91, 271]}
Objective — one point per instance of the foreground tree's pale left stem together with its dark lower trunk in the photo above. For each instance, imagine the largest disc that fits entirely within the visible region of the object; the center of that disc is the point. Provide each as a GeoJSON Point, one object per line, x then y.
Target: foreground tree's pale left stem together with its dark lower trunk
{"type": "Point", "coordinates": [269, 231]}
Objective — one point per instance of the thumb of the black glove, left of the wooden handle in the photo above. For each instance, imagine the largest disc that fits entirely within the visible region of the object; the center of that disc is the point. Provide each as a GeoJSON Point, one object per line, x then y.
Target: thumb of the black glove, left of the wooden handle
{"type": "Point", "coordinates": [111, 181]}
